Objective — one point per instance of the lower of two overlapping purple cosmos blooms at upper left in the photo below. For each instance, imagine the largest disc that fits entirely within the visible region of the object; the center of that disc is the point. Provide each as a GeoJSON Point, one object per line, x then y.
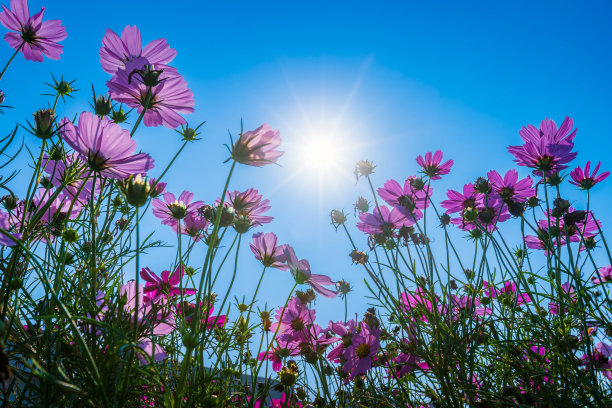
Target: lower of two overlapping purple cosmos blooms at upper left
{"type": "Point", "coordinates": [165, 97]}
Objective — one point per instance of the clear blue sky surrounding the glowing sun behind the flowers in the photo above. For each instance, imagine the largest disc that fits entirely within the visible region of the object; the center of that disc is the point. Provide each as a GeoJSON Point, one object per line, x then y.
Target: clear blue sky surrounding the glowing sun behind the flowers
{"type": "Point", "coordinates": [386, 80]}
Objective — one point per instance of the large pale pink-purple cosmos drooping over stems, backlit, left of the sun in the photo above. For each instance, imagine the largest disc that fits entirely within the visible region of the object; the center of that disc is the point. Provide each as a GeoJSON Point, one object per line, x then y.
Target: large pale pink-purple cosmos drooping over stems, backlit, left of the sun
{"type": "Point", "coordinates": [105, 146]}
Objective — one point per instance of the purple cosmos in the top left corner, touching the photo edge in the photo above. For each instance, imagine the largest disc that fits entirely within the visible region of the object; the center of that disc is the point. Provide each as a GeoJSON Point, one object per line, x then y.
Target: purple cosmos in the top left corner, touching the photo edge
{"type": "Point", "coordinates": [32, 36]}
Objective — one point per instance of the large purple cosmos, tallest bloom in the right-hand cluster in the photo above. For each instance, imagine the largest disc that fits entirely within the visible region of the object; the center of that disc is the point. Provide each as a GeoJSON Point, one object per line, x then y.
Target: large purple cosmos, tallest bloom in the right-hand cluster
{"type": "Point", "coordinates": [546, 150]}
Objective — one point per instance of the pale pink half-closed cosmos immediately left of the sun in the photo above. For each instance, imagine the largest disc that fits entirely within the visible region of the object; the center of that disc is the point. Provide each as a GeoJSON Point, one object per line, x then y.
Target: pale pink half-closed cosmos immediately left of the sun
{"type": "Point", "coordinates": [258, 147]}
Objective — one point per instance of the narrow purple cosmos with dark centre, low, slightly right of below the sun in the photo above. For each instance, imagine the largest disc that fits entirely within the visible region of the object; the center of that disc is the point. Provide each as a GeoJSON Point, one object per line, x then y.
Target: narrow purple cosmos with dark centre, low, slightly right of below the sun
{"type": "Point", "coordinates": [361, 352]}
